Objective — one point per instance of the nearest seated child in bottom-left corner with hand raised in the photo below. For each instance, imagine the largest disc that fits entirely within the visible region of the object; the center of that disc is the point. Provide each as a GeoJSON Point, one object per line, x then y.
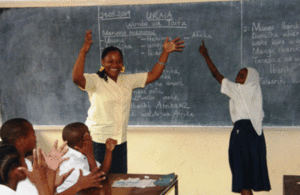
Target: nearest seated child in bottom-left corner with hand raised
{"type": "Point", "coordinates": [13, 170]}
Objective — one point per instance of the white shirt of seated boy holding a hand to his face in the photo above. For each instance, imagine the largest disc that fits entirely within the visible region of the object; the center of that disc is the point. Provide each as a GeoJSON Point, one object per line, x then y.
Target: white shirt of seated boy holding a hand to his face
{"type": "Point", "coordinates": [77, 161]}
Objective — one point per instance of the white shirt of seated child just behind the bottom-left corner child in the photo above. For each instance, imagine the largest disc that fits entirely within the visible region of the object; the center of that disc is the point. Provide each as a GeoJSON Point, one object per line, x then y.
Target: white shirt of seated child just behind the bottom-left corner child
{"type": "Point", "coordinates": [25, 187]}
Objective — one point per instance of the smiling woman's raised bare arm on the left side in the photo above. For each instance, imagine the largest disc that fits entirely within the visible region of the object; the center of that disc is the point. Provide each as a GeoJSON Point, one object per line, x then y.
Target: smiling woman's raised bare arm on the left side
{"type": "Point", "coordinates": [78, 68]}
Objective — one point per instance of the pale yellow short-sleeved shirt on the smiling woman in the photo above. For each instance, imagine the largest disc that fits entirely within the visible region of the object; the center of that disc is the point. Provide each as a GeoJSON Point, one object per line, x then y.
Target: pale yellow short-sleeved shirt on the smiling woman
{"type": "Point", "coordinates": [110, 101]}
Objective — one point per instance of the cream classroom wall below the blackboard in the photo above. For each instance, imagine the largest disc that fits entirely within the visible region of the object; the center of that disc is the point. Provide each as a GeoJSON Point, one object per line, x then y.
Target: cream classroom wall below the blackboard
{"type": "Point", "coordinates": [199, 155]}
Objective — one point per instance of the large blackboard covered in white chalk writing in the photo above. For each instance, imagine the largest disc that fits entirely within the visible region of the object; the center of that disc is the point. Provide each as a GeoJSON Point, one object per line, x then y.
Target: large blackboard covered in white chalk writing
{"type": "Point", "coordinates": [39, 47]}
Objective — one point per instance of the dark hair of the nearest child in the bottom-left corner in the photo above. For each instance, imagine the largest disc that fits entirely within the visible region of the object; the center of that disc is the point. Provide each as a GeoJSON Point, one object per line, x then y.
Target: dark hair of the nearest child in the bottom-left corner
{"type": "Point", "coordinates": [9, 160]}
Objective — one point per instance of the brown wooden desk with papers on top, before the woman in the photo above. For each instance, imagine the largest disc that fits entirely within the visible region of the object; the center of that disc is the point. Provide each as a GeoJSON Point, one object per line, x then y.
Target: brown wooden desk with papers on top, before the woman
{"type": "Point", "coordinates": [109, 190]}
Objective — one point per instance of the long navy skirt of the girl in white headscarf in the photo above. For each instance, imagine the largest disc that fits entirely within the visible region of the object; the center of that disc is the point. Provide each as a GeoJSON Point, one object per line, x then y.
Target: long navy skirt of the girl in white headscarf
{"type": "Point", "coordinates": [247, 158]}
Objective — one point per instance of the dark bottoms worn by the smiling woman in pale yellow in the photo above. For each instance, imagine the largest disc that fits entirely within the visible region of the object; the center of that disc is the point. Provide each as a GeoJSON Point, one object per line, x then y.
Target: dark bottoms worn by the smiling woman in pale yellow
{"type": "Point", "coordinates": [119, 156]}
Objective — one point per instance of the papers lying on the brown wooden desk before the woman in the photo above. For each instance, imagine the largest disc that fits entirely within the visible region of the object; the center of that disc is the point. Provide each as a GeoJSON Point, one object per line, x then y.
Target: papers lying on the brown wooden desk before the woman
{"type": "Point", "coordinates": [134, 182]}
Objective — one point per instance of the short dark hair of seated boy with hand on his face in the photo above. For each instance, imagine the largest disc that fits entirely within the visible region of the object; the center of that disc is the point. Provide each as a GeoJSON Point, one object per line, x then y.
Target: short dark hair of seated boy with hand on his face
{"type": "Point", "coordinates": [73, 133]}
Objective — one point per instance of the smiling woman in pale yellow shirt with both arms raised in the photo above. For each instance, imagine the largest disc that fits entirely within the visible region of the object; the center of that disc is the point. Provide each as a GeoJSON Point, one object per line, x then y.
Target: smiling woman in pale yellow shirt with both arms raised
{"type": "Point", "coordinates": [110, 96]}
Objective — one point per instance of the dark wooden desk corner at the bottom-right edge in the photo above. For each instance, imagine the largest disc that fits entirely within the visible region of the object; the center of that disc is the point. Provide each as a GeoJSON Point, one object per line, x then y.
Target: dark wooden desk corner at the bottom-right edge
{"type": "Point", "coordinates": [290, 185]}
